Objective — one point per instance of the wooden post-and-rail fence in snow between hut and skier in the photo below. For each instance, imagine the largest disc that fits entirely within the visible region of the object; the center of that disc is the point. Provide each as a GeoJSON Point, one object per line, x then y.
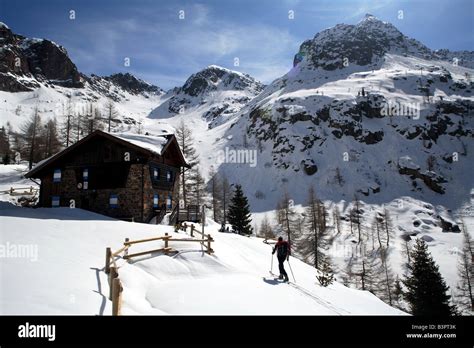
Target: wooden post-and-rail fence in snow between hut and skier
{"type": "Point", "coordinates": [111, 268]}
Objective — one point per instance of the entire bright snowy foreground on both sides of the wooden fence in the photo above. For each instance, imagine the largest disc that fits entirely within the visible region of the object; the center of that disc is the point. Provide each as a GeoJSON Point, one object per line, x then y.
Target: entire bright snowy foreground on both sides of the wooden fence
{"type": "Point", "coordinates": [63, 273]}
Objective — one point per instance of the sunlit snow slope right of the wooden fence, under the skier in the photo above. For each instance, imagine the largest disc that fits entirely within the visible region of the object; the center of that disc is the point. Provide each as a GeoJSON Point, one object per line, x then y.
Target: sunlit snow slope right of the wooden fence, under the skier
{"type": "Point", "coordinates": [234, 281]}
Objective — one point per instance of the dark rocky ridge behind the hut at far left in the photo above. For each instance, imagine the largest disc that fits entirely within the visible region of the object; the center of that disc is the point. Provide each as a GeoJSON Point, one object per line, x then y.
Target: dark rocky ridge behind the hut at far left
{"type": "Point", "coordinates": [26, 63]}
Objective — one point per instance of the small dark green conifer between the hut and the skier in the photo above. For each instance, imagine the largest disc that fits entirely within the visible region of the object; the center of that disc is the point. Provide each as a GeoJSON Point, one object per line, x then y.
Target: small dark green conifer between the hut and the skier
{"type": "Point", "coordinates": [239, 212]}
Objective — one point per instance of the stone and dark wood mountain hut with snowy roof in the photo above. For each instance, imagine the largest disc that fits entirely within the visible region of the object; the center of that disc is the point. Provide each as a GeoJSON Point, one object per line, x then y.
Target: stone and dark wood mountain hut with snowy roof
{"type": "Point", "coordinates": [125, 176]}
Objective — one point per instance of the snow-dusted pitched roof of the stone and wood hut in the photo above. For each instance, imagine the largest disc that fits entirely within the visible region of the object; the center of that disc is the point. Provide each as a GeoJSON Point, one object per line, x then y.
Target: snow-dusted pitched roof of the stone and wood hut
{"type": "Point", "coordinates": [152, 144]}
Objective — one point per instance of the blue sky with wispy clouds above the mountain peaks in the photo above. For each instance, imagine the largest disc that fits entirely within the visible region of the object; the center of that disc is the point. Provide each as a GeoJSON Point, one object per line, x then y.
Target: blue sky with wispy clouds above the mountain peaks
{"type": "Point", "coordinates": [165, 50]}
